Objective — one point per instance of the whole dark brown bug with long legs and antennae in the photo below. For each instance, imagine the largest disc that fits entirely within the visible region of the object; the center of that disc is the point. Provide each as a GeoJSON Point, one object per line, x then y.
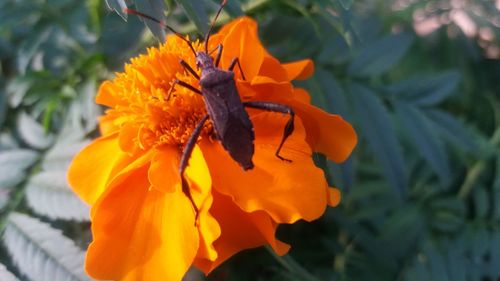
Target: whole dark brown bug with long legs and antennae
{"type": "Point", "coordinates": [225, 109]}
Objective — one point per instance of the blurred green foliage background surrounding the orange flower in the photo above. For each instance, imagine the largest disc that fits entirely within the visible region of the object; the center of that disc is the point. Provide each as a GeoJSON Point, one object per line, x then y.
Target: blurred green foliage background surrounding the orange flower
{"type": "Point", "coordinates": [419, 80]}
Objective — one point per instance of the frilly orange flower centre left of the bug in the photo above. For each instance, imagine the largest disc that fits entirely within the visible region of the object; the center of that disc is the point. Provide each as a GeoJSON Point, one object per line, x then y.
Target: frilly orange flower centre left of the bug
{"type": "Point", "coordinates": [143, 112]}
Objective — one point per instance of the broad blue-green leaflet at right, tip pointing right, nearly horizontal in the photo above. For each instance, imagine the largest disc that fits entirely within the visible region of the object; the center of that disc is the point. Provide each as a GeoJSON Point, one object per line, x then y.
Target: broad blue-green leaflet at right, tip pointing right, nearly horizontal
{"type": "Point", "coordinates": [426, 90]}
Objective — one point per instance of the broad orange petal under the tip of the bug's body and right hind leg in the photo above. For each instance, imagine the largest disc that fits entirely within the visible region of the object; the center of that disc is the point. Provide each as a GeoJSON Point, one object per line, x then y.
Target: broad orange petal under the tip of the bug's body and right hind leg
{"type": "Point", "coordinates": [286, 191]}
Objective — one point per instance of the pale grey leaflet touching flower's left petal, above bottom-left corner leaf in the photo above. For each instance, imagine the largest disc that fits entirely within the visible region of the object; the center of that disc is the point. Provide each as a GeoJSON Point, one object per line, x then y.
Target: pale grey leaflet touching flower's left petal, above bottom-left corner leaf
{"type": "Point", "coordinates": [49, 194]}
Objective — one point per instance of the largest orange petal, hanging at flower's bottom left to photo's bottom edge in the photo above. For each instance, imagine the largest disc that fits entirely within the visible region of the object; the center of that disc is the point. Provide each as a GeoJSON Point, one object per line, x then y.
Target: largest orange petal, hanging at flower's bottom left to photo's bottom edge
{"type": "Point", "coordinates": [141, 233]}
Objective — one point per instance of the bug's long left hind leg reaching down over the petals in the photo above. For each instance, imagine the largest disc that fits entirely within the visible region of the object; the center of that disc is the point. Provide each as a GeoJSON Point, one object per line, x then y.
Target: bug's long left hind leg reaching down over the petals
{"type": "Point", "coordinates": [186, 154]}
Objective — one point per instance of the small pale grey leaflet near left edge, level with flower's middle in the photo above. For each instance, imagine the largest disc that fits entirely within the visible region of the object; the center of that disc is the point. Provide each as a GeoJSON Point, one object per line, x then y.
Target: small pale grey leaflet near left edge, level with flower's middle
{"type": "Point", "coordinates": [32, 132]}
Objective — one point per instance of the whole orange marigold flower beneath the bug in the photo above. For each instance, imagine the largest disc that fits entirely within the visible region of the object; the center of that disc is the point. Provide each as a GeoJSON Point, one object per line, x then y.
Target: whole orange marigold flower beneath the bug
{"type": "Point", "coordinates": [142, 223]}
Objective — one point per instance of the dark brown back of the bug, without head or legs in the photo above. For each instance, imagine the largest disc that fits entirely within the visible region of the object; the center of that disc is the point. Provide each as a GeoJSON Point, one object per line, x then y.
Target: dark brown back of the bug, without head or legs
{"type": "Point", "coordinates": [231, 121]}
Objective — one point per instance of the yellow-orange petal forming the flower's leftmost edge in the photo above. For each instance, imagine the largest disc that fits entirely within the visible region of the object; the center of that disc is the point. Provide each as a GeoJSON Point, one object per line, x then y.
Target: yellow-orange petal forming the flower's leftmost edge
{"type": "Point", "coordinates": [95, 165]}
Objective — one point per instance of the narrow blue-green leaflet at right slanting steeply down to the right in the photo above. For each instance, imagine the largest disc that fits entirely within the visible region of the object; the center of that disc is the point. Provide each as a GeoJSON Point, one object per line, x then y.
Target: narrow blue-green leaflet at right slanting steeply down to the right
{"type": "Point", "coordinates": [425, 139]}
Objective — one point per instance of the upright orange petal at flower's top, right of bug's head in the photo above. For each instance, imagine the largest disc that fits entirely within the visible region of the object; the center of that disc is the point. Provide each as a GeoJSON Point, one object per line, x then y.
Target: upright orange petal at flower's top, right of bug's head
{"type": "Point", "coordinates": [242, 42]}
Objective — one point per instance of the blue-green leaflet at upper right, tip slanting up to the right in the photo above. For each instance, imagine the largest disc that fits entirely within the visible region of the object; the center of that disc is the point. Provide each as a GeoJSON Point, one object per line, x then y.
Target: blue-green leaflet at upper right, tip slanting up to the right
{"type": "Point", "coordinates": [378, 57]}
